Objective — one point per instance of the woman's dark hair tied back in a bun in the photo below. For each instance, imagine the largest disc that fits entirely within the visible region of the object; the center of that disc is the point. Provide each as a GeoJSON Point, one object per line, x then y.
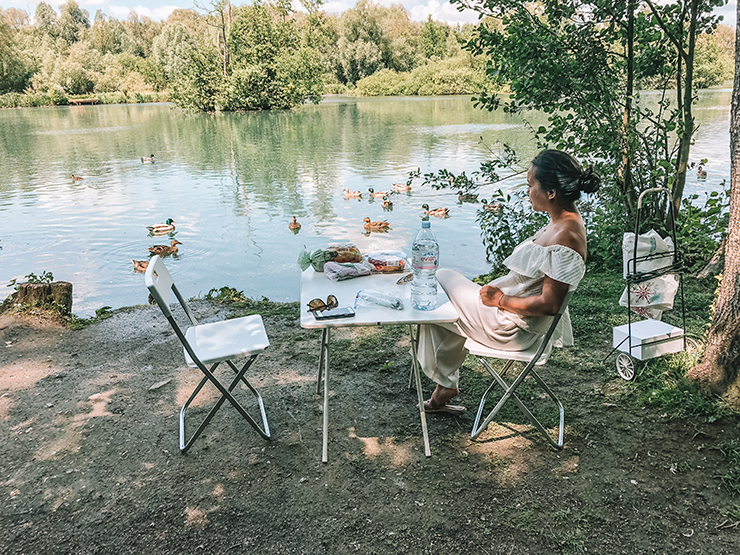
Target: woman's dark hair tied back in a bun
{"type": "Point", "coordinates": [558, 171]}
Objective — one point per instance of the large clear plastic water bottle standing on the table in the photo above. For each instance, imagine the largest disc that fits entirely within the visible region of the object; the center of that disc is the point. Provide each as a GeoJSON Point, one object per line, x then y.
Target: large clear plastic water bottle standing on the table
{"type": "Point", "coordinates": [424, 261]}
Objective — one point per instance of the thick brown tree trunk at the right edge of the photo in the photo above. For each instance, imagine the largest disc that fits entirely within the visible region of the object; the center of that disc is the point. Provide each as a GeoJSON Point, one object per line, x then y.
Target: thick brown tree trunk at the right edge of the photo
{"type": "Point", "coordinates": [719, 372]}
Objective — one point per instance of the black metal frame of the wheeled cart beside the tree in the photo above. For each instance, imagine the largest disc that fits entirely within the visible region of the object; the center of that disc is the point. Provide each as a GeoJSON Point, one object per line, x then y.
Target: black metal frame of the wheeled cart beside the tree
{"type": "Point", "coordinates": [626, 362]}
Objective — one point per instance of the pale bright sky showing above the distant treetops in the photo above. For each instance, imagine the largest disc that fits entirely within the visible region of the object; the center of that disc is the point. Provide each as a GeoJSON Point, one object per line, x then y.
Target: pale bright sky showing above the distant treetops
{"type": "Point", "coordinates": [159, 9]}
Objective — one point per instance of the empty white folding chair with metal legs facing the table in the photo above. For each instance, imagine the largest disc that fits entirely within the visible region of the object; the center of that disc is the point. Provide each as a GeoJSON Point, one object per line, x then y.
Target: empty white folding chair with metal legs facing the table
{"type": "Point", "coordinates": [211, 344]}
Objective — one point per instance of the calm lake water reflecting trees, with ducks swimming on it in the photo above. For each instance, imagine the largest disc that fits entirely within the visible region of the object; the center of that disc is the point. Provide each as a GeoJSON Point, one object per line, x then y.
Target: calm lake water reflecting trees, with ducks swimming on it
{"type": "Point", "coordinates": [233, 181]}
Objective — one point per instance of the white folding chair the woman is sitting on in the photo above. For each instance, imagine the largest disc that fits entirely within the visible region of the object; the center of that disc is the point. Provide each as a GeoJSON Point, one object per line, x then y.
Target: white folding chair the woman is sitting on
{"type": "Point", "coordinates": [536, 355]}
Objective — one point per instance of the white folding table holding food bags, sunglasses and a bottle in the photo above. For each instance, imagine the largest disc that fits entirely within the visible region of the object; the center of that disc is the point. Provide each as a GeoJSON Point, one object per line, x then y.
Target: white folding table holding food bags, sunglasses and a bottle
{"type": "Point", "coordinates": [317, 285]}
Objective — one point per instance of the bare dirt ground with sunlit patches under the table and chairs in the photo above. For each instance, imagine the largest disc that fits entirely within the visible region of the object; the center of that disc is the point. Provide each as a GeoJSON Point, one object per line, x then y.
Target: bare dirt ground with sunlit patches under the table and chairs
{"type": "Point", "coordinates": [90, 460]}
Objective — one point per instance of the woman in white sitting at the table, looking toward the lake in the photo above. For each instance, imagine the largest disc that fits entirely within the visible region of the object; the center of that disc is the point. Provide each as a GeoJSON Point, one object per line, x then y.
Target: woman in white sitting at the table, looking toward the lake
{"type": "Point", "coordinates": [515, 310]}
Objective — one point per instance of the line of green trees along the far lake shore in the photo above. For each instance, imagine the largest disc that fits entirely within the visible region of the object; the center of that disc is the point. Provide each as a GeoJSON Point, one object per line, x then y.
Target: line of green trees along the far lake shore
{"type": "Point", "coordinates": [258, 56]}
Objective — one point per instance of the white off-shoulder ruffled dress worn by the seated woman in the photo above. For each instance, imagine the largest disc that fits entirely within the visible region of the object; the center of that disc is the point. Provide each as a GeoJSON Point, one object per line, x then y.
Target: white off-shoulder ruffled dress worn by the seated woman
{"type": "Point", "coordinates": [442, 347]}
